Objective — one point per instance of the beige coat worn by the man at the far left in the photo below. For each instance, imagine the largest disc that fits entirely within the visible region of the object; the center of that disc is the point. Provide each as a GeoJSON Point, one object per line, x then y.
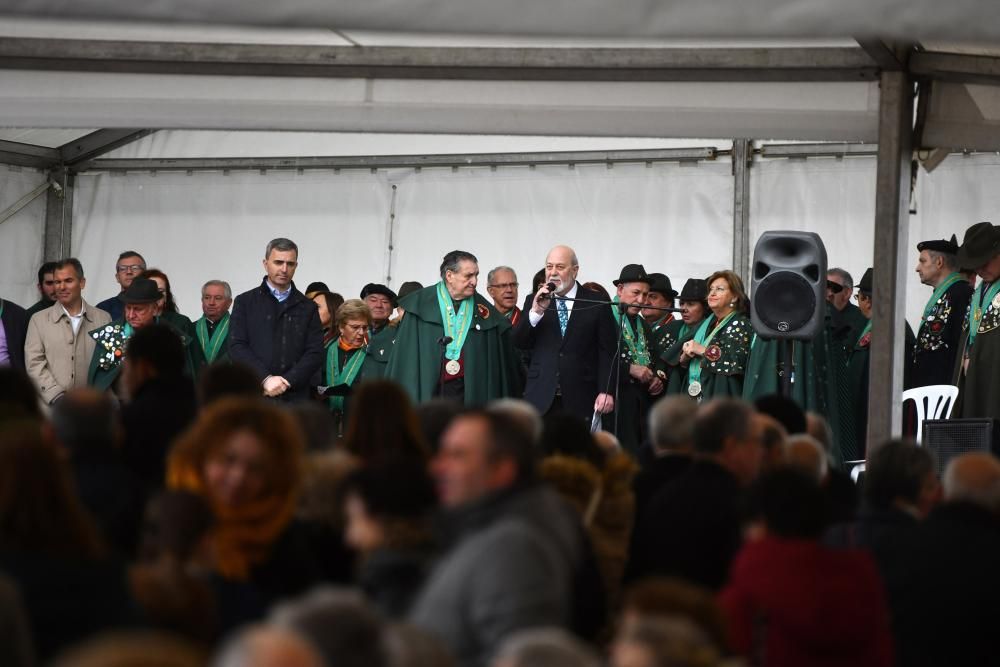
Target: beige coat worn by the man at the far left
{"type": "Point", "coordinates": [56, 360]}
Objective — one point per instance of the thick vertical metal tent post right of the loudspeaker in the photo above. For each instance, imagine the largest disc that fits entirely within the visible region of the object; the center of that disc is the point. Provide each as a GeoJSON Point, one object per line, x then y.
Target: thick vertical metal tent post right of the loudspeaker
{"type": "Point", "coordinates": [892, 195]}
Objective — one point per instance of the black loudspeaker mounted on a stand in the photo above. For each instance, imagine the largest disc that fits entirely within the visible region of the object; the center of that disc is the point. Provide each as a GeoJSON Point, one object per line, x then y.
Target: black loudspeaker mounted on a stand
{"type": "Point", "coordinates": [788, 285]}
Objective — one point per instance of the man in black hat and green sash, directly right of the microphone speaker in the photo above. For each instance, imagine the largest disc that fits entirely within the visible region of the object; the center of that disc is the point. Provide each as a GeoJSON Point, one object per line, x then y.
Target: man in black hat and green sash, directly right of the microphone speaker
{"type": "Point", "coordinates": [638, 382]}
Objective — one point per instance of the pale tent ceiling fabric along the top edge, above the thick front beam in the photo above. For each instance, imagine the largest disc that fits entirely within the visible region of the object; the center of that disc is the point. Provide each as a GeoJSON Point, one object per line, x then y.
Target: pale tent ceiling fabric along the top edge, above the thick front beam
{"type": "Point", "coordinates": [913, 19]}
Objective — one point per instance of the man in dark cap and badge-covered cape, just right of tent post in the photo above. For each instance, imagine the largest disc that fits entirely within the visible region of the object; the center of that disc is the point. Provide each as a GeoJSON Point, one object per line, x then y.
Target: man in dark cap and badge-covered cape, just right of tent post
{"type": "Point", "coordinates": [940, 331]}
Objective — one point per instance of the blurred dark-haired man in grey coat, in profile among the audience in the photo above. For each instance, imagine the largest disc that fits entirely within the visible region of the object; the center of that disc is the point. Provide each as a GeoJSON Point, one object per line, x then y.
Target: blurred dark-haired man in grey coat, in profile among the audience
{"type": "Point", "coordinates": [515, 544]}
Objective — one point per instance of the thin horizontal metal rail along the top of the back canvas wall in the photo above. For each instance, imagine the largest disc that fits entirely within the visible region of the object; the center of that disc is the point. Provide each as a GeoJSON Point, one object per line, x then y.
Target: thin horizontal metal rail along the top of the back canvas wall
{"type": "Point", "coordinates": [402, 161]}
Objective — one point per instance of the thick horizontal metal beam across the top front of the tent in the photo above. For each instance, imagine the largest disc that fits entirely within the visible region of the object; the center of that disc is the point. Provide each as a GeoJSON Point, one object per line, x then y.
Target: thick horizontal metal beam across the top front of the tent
{"type": "Point", "coordinates": [525, 64]}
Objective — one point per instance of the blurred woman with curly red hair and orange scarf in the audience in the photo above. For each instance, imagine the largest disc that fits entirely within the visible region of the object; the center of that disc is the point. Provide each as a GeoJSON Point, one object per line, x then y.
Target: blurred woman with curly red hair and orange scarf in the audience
{"type": "Point", "coordinates": [244, 457]}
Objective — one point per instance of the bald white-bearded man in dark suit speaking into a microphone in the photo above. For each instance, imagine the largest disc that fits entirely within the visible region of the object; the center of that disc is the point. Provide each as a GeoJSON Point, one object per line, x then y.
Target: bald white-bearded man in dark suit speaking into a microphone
{"type": "Point", "coordinates": [571, 342]}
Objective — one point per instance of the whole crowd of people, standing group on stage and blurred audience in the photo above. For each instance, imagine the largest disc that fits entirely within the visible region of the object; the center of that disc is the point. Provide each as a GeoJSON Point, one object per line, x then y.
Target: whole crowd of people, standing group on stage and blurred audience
{"type": "Point", "coordinates": [437, 478]}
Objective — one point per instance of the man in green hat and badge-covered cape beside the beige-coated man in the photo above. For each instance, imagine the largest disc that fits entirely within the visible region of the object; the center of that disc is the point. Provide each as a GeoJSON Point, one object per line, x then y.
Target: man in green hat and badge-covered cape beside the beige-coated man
{"type": "Point", "coordinates": [140, 299]}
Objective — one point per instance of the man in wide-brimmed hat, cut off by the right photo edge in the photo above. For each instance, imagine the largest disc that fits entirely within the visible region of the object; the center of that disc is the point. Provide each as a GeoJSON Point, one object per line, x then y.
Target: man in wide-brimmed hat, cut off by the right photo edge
{"type": "Point", "coordinates": [979, 377]}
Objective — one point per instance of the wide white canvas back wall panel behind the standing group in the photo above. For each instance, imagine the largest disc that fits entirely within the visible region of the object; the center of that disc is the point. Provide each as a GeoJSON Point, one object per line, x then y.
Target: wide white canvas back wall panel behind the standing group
{"type": "Point", "coordinates": [212, 225]}
